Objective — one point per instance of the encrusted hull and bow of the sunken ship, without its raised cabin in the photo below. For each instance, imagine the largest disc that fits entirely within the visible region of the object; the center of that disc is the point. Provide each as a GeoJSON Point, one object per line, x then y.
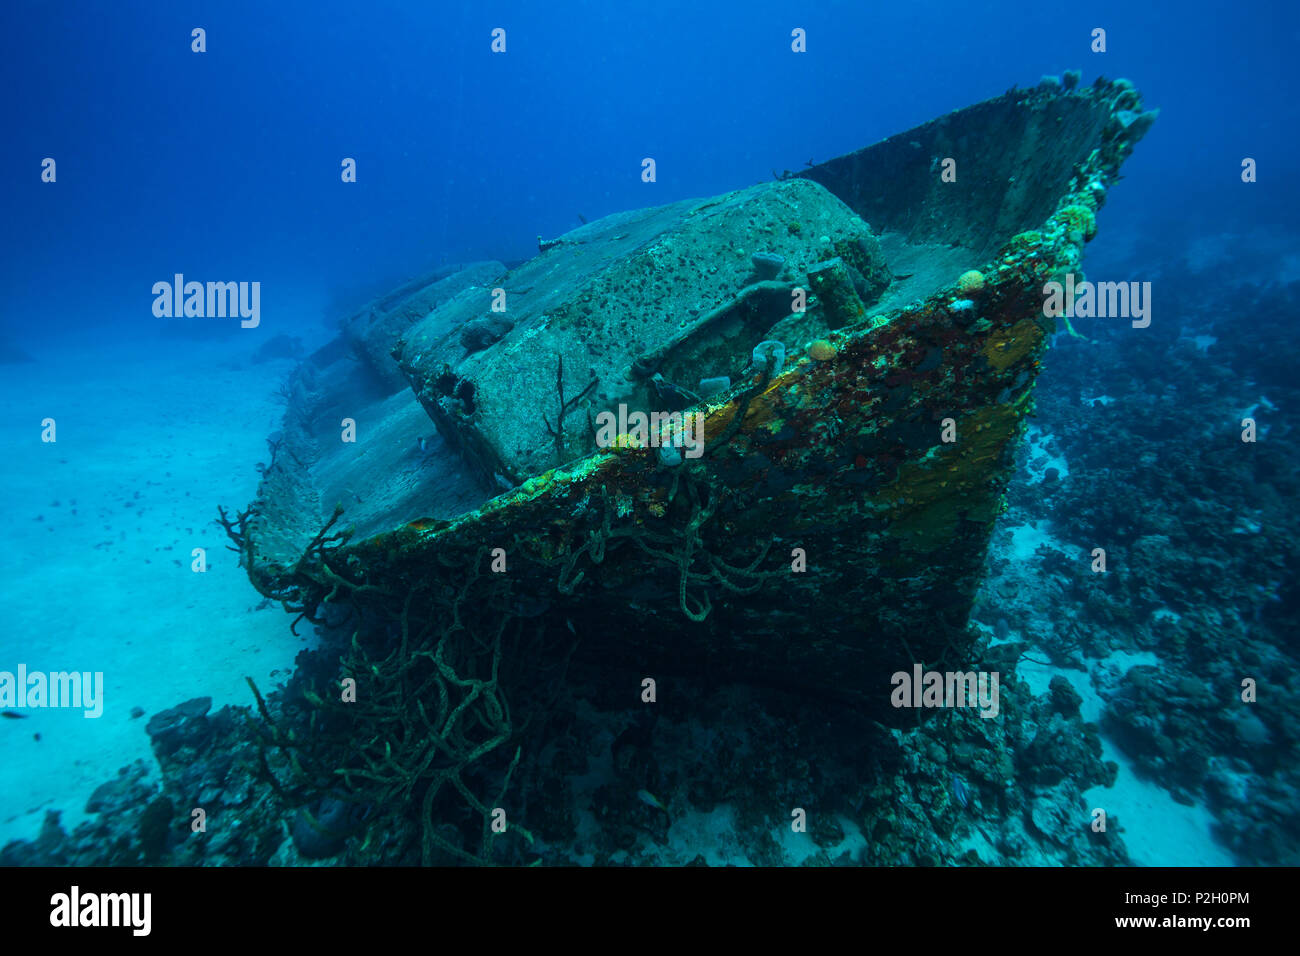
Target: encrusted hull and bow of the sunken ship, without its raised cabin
{"type": "Point", "coordinates": [834, 530]}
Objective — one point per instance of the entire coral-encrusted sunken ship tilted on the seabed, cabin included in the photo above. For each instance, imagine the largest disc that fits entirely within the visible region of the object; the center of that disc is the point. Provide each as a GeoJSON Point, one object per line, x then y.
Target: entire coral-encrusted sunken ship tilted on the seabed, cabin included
{"type": "Point", "coordinates": [833, 529]}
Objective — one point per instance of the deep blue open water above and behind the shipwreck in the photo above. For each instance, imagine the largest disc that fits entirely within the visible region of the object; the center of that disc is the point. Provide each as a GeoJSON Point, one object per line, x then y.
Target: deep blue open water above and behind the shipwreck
{"type": "Point", "coordinates": [226, 166]}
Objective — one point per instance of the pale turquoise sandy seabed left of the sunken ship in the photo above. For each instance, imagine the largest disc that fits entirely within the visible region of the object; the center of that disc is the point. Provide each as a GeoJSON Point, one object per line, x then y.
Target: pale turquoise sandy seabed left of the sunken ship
{"type": "Point", "coordinates": [150, 440]}
